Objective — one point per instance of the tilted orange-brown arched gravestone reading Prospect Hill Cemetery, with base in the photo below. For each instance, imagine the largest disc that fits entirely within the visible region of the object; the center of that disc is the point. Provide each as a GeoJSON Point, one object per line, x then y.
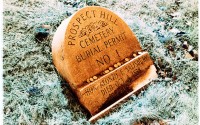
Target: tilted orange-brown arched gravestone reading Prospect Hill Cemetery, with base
{"type": "Point", "coordinates": [100, 57]}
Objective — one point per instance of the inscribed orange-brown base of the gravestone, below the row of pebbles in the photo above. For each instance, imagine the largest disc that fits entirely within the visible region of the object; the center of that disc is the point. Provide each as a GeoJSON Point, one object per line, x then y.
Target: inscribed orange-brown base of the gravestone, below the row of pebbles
{"type": "Point", "coordinates": [99, 94]}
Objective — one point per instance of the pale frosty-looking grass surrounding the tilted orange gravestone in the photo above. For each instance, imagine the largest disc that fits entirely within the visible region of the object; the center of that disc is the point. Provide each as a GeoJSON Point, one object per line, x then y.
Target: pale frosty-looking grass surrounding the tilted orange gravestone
{"type": "Point", "coordinates": [32, 87]}
